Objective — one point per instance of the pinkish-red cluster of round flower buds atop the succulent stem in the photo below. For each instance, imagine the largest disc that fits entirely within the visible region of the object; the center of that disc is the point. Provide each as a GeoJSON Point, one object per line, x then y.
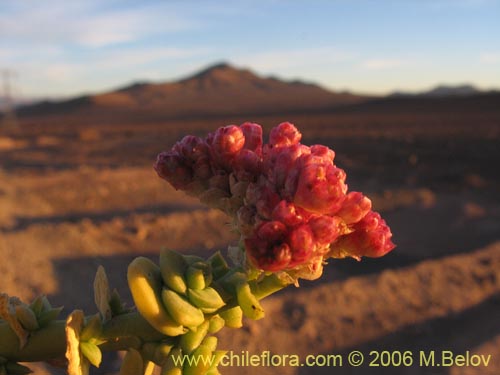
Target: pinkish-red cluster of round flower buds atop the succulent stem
{"type": "Point", "coordinates": [289, 201]}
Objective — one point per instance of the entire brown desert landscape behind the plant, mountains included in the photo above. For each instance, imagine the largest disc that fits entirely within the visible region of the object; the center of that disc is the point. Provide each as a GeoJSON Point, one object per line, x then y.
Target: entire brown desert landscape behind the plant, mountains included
{"type": "Point", "coordinates": [77, 189]}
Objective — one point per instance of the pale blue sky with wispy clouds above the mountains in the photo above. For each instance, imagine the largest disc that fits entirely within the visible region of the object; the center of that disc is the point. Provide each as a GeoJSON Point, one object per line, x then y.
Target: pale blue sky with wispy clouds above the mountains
{"type": "Point", "coordinates": [63, 48]}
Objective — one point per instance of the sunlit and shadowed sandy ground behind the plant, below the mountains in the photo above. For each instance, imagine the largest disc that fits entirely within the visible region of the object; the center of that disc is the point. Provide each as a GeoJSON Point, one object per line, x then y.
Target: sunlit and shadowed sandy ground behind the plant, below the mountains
{"type": "Point", "coordinates": [439, 290]}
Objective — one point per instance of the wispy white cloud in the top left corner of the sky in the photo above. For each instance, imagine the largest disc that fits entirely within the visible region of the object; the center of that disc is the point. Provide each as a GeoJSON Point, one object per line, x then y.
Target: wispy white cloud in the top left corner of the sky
{"type": "Point", "coordinates": [88, 23]}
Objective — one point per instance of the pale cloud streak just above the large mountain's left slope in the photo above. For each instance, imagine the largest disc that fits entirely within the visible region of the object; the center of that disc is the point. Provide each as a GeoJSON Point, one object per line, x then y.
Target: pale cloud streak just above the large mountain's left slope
{"type": "Point", "coordinates": [104, 70]}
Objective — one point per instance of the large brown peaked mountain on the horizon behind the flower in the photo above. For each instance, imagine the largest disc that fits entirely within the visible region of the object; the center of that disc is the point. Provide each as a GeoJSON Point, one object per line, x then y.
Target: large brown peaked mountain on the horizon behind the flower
{"type": "Point", "coordinates": [220, 89]}
